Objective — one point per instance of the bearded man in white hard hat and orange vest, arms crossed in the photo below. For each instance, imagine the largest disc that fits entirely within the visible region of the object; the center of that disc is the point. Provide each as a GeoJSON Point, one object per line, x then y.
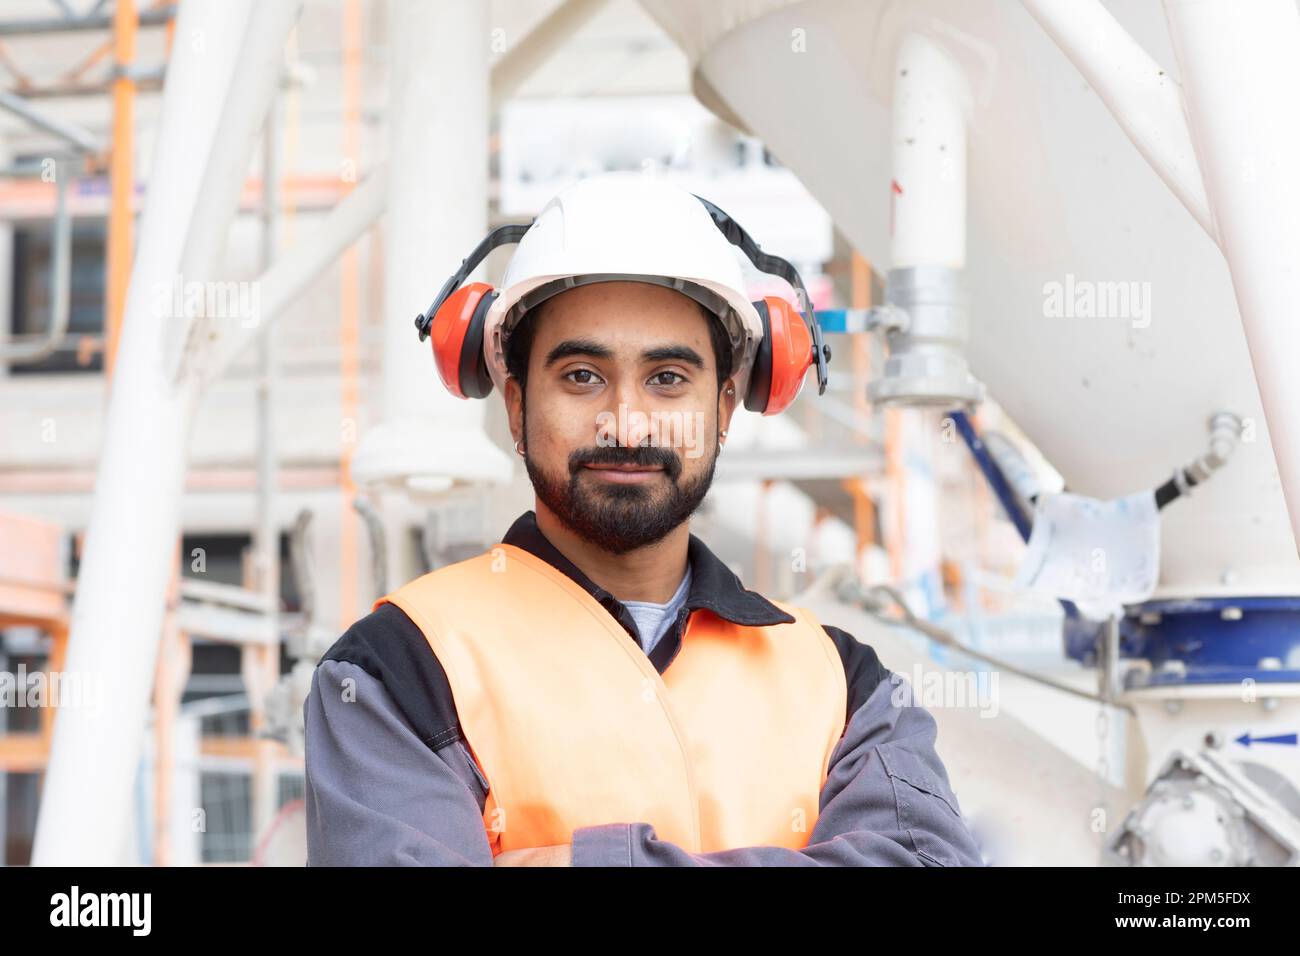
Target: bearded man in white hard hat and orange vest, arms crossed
{"type": "Point", "coordinates": [600, 689]}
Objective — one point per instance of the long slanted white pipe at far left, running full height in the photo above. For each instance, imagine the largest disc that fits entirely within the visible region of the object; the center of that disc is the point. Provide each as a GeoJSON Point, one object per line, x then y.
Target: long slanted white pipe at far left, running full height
{"type": "Point", "coordinates": [131, 544]}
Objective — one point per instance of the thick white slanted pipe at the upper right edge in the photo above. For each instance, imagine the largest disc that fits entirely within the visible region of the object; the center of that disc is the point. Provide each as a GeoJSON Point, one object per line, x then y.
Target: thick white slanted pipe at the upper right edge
{"type": "Point", "coordinates": [1241, 68]}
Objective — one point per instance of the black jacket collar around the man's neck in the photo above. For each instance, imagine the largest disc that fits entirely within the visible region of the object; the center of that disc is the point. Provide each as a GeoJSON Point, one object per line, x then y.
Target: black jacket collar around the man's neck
{"type": "Point", "coordinates": [714, 587]}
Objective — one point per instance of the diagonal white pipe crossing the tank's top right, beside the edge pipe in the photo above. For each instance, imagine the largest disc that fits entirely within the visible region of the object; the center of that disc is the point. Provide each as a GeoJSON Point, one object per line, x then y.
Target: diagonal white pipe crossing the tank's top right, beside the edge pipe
{"type": "Point", "coordinates": [1143, 98]}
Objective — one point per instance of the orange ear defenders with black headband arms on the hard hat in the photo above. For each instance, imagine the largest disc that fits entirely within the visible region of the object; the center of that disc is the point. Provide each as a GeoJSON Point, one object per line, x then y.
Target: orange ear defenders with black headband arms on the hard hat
{"type": "Point", "coordinates": [791, 345]}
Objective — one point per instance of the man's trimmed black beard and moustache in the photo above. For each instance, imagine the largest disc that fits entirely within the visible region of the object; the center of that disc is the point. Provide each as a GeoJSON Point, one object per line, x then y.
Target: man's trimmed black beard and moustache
{"type": "Point", "coordinates": [621, 518]}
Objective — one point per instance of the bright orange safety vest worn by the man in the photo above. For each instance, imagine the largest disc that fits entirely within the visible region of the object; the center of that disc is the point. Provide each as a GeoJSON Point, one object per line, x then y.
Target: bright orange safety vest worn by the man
{"type": "Point", "coordinates": [573, 726]}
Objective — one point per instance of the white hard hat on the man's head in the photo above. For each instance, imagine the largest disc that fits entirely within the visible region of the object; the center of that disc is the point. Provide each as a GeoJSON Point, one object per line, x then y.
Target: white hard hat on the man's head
{"type": "Point", "coordinates": [626, 226]}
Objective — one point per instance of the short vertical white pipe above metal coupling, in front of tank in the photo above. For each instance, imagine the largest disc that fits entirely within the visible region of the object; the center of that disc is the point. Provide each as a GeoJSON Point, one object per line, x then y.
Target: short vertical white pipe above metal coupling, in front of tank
{"type": "Point", "coordinates": [930, 109]}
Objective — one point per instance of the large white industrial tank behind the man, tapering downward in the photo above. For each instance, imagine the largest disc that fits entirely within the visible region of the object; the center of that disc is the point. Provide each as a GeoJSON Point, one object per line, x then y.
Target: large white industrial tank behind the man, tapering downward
{"type": "Point", "coordinates": [1059, 201]}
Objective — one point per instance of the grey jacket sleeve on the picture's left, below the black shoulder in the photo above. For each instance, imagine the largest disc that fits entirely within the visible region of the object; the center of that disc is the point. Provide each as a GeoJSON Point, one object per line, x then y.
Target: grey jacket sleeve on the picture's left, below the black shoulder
{"type": "Point", "coordinates": [376, 793]}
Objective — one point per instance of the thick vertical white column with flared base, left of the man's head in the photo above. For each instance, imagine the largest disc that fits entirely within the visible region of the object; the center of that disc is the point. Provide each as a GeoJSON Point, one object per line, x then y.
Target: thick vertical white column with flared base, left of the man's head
{"type": "Point", "coordinates": [437, 213]}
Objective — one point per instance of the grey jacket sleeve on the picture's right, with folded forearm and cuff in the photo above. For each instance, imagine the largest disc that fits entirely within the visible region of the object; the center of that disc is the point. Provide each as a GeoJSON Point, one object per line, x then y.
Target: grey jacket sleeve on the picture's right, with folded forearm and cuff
{"type": "Point", "coordinates": [886, 803]}
